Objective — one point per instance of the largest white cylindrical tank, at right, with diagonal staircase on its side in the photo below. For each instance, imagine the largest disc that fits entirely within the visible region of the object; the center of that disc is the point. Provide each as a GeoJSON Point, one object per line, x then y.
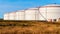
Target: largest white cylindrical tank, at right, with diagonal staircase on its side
{"type": "Point", "coordinates": [51, 11]}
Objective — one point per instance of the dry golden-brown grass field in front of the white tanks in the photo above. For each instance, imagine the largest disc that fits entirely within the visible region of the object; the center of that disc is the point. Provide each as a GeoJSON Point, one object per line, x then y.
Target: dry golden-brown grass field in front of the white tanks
{"type": "Point", "coordinates": [29, 27]}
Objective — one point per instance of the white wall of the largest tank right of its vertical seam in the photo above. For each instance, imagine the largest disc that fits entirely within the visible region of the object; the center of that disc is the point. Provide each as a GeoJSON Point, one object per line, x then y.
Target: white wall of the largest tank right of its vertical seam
{"type": "Point", "coordinates": [53, 13]}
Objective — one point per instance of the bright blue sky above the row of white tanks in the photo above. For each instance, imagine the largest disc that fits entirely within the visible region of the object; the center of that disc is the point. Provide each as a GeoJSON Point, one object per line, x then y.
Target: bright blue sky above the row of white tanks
{"type": "Point", "coordinates": [13, 5]}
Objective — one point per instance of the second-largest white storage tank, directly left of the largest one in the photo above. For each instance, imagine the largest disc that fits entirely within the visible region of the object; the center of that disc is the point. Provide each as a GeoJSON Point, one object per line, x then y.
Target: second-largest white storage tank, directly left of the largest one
{"type": "Point", "coordinates": [31, 14]}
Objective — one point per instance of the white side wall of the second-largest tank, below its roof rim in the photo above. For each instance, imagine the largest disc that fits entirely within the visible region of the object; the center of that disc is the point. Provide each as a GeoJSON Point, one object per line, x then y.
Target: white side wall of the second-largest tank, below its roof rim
{"type": "Point", "coordinates": [30, 15]}
